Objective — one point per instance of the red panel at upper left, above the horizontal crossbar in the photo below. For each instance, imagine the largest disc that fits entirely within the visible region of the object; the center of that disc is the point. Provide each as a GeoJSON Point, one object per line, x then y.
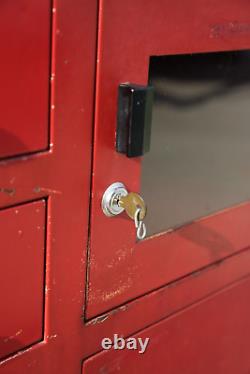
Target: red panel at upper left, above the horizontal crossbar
{"type": "Point", "coordinates": [24, 75]}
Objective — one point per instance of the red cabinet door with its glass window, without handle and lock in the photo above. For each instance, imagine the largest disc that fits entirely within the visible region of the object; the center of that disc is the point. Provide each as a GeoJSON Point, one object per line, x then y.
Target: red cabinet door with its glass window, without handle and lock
{"type": "Point", "coordinates": [195, 178]}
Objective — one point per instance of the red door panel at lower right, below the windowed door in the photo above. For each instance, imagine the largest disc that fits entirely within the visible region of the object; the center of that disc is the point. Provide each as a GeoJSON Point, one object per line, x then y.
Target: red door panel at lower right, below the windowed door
{"type": "Point", "coordinates": [209, 337]}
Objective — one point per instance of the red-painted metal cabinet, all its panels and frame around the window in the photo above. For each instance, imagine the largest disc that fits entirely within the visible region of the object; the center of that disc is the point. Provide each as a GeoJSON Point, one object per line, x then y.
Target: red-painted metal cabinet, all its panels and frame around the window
{"type": "Point", "coordinates": [96, 280]}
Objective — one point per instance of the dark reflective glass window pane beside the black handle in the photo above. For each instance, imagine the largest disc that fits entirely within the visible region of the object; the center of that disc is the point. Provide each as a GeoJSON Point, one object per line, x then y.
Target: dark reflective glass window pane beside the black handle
{"type": "Point", "coordinates": [199, 161]}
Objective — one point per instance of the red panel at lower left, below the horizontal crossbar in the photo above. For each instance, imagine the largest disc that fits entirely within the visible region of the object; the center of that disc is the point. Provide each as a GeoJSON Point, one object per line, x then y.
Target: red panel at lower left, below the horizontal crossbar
{"type": "Point", "coordinates": [22, 232]}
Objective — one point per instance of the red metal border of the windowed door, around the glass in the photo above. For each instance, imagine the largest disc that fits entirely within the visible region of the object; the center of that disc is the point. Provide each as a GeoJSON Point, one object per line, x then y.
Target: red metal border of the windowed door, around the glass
{"type": "Point", "coordinates": [120, 269]}
